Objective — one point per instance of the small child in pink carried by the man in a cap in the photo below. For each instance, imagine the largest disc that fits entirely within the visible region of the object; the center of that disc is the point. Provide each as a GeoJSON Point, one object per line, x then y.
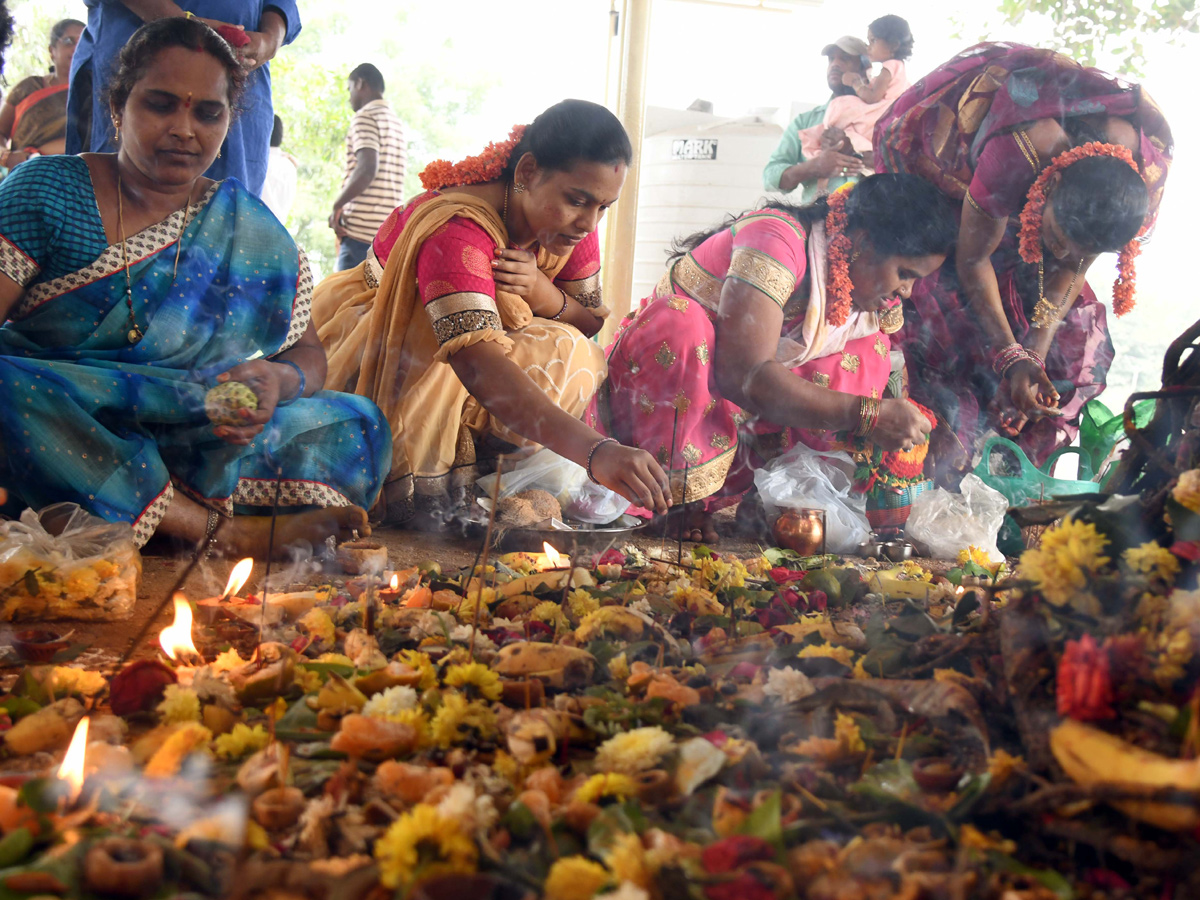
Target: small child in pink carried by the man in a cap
{"type": "Point", "coordinates": [890, 43]}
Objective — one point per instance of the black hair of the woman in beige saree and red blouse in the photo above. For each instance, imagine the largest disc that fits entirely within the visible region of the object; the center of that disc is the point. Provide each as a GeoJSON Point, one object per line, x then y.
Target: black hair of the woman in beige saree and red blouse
{"type": "Point", "coordinates": [572, 131]}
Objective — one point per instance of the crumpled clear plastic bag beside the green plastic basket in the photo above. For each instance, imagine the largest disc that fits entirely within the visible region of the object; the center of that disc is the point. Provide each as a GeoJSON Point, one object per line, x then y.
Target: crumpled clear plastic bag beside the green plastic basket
{"type": "Point", "coordinates": [949, 523]}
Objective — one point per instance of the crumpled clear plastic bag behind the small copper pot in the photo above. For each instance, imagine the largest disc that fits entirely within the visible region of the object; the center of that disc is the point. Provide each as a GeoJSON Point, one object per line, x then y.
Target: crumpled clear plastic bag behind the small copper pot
{"type": "Point", "coordinates": [806, 479]}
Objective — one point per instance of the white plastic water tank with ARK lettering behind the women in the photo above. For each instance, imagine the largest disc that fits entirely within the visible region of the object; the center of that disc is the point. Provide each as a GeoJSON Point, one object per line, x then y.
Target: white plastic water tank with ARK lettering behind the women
{"type": "Point", "coordinates": [697, 170]}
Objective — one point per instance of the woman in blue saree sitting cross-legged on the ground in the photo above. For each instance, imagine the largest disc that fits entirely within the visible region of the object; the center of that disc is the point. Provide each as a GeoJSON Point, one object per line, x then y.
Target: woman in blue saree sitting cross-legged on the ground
{"type": "Point", "coordinates": [131, 285]}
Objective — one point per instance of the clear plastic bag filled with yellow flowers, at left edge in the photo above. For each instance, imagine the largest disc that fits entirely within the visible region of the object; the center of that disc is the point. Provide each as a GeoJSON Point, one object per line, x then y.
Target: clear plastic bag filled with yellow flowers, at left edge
{"type": "Point", "coordinates": [65, 563]}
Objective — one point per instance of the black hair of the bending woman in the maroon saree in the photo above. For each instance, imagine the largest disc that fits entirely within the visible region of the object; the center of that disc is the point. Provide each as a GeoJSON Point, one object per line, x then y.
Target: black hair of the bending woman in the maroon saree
{"type": "Point", "coordinates": [1101, 203]}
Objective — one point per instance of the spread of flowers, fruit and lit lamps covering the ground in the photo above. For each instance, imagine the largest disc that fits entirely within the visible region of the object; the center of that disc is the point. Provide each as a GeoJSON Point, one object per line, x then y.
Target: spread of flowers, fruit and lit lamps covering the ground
{"type": "Point", "coordinates": [640, 725]}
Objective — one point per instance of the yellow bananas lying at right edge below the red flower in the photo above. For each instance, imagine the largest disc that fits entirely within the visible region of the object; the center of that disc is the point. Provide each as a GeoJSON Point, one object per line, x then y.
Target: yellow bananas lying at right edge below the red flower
{"type": "Point", "coordinates": [1091, 757]}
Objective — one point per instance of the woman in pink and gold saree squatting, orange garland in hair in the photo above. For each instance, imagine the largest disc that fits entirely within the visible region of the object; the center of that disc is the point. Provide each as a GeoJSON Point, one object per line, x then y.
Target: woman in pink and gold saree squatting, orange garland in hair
{"type": "Point", "coordinates": [770, 331]}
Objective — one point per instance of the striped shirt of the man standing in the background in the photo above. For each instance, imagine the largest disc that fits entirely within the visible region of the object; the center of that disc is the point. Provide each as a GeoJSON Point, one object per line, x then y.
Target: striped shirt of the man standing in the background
{"type": "Point", "coordinates": [375, 128]}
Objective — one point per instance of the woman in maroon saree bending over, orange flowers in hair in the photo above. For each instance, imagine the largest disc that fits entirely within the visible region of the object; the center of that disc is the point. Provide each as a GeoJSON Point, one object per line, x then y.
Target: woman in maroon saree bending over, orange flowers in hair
{"type": "Point", "coordinates": [999, 129]}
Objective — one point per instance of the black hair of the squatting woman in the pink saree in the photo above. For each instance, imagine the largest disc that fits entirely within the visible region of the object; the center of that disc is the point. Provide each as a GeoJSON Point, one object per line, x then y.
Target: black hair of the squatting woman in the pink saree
{"type": "Point", "coordinates": [901, 215]}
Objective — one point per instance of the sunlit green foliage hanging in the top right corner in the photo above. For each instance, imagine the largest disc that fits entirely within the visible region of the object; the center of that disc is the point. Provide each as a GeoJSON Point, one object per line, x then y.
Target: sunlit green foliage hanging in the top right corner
{"type": "Point", "coordinates": [1084, 28]}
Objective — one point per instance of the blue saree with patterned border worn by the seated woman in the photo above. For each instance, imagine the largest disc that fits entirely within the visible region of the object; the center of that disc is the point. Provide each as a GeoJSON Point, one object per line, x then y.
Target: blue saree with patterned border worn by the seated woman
{"type": "Point", "coordinates": [118, 428]}
